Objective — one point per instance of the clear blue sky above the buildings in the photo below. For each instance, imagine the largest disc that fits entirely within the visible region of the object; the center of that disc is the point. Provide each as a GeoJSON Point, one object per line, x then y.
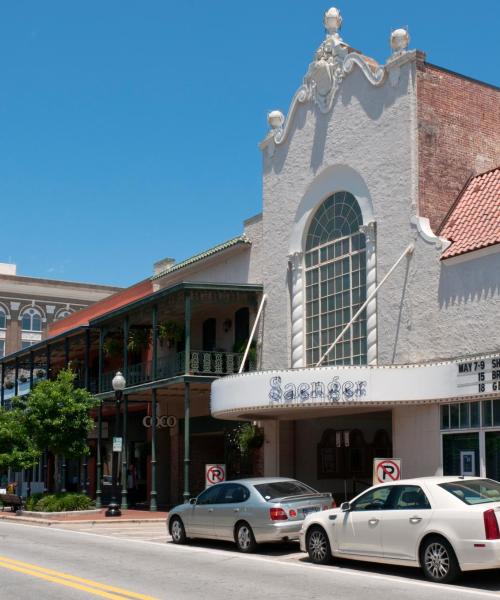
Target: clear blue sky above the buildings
{"type": "Point", "coordinates": [129, 130]}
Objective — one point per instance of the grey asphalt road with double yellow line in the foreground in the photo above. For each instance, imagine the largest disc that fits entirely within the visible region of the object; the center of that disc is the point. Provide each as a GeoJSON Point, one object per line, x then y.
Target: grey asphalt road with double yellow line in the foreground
{"type": "Point", "coordinates": [134, 561]}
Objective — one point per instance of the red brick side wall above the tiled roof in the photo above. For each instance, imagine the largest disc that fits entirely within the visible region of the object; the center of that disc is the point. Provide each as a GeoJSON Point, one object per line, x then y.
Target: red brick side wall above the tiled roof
{"type": "Point", "coordinates": [458, 136]}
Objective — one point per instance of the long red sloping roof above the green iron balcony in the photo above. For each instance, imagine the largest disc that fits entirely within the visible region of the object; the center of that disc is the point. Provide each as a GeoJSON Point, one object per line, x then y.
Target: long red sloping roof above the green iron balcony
{"type": "Point", "coordinates": [121, 298]}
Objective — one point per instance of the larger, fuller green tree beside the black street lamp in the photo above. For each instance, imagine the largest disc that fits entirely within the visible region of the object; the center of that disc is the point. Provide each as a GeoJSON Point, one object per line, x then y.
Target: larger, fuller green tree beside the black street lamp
{"type": "Point", "coordinates": [58, 417]}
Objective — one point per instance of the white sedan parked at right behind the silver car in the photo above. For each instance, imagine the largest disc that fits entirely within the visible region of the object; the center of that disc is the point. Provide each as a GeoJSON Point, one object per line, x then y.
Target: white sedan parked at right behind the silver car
{"type": "Point", "coordinates": [444, 525]}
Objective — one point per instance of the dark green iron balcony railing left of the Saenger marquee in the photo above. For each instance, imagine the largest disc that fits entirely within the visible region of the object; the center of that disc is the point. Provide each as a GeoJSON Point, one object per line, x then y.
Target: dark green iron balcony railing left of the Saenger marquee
{"type": "Point", "coordinates": [209, 363]}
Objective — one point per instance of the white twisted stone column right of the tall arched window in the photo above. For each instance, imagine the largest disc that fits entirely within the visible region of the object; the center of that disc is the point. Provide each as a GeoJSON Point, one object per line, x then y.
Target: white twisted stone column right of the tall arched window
{"type": "Point", "coordinates": [371, 283]}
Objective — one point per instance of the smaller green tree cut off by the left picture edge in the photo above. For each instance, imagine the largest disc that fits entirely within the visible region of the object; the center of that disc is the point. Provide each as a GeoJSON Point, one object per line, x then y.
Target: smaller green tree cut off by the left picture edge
{"type": "Point", "coordinates": [17, 450]}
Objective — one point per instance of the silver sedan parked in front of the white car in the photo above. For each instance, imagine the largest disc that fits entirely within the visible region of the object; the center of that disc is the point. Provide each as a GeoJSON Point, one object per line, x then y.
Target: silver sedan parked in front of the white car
{"type": "Point", "coordinates": [247, 511]}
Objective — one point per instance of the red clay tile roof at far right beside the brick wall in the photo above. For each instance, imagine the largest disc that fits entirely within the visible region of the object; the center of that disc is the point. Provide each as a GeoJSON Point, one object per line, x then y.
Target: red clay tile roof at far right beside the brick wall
{"type": "Point", "coordinates": [474, 220]}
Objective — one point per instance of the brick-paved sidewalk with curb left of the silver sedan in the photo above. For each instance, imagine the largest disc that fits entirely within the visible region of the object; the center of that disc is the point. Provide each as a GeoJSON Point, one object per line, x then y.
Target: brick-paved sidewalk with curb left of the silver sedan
{"type": "Point", "coordinates": [128, 516]}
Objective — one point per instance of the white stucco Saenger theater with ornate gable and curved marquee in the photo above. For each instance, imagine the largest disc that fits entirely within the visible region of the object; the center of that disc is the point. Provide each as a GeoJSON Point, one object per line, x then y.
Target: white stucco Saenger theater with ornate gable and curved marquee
{"type": "Point", "coordinates": [381, 196]}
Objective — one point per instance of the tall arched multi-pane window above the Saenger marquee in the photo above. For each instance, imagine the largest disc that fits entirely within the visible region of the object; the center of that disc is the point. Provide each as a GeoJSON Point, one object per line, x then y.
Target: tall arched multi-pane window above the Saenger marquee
{"type": "Point", "coordinates": [335, 261]}
